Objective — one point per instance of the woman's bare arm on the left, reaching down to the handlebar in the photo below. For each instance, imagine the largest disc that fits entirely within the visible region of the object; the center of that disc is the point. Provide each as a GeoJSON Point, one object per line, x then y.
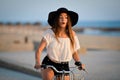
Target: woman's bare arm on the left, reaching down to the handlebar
{"type": "Point", "coordinates": [38, 53]}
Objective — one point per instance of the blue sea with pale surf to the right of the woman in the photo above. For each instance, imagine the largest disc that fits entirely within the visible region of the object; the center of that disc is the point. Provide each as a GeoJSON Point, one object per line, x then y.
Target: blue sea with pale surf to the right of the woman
{"type": "Point", "coordinates": [98, 24]}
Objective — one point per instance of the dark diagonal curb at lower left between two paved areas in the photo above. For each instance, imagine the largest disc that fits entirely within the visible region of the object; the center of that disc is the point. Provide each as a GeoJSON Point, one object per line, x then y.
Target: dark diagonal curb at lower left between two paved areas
{"type": "Point", "coordinates": [15, 67]}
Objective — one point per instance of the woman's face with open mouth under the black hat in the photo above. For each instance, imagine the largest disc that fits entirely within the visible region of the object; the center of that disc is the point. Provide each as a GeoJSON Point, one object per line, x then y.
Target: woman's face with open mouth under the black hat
{"type": "Point", "coordinates": [63, 19]}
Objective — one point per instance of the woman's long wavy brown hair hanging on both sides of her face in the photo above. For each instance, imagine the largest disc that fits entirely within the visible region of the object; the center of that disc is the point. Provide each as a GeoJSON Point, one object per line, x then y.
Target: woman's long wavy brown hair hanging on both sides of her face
{"type": "Point", "coordinates": [69, 32]}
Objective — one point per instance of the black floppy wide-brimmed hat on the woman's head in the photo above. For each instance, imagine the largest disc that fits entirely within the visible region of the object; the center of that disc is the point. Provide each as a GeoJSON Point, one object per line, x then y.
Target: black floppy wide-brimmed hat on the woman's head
{"type": "Point", "coordinates": [52, 15]}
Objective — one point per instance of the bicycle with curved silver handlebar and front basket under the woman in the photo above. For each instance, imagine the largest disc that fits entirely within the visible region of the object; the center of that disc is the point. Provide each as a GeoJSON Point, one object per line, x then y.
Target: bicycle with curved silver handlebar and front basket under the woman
{"type": "Point", "coordinates": [73, 75]}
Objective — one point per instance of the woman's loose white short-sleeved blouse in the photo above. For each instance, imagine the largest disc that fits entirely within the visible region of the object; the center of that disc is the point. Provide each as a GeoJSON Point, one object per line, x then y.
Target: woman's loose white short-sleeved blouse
{"type": "Point", "coordinates": [59, 51]}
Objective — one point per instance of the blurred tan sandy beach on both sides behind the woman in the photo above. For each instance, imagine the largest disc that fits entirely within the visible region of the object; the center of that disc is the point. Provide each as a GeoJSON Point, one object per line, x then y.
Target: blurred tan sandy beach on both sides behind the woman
{"type": "Point", "coordinates": [24, 38]}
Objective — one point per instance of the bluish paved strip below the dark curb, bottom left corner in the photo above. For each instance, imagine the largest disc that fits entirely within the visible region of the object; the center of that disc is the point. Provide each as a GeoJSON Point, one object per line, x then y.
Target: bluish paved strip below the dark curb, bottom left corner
{"type": "Point", "coordinates": [6, 74]}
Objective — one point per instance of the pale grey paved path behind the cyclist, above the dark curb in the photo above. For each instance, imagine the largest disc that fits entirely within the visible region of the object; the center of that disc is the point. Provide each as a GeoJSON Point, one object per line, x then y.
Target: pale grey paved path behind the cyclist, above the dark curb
{"type": "Point", "coordinates": [101, 65]}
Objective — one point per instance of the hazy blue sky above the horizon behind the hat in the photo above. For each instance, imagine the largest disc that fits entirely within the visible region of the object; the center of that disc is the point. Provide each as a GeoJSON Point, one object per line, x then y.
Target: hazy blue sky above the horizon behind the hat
{"type": "Point", "coordinates": [37, 10]}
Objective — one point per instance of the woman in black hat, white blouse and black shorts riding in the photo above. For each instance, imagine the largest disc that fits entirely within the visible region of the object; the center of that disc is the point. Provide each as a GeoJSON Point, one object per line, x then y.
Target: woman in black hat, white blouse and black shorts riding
{"type": "Point", "coordinates": [61, 43]}
